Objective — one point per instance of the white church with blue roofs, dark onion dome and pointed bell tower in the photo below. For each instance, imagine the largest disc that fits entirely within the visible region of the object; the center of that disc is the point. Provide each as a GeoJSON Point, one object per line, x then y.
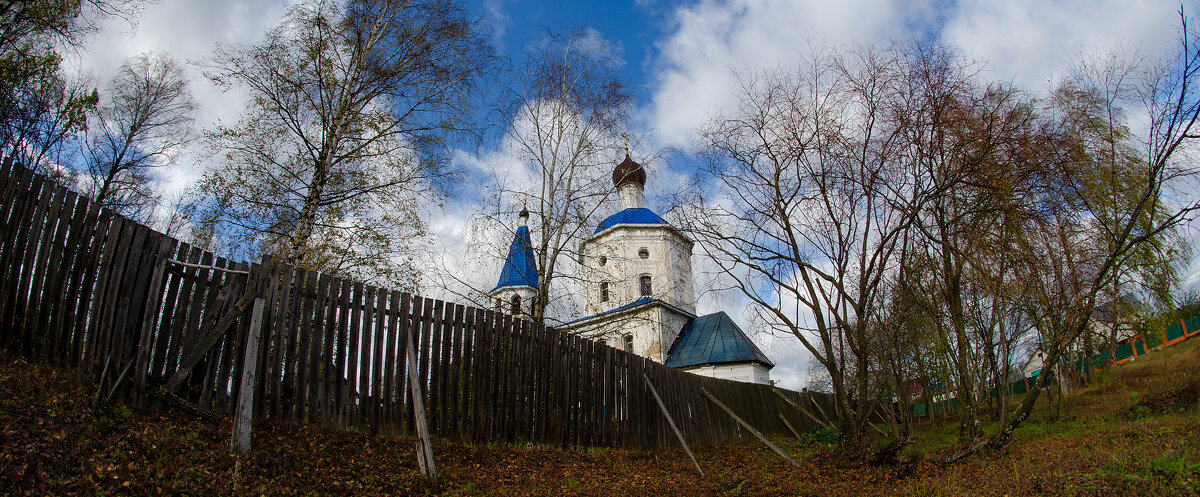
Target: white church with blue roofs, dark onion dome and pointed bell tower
{"type": "Point", "coordinates": [640, 295]}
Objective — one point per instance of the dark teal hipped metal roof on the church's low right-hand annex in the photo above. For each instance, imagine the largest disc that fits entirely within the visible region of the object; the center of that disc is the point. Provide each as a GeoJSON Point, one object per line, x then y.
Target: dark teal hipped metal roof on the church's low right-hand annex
{"type": "Point", "coordinates": [713, 339]}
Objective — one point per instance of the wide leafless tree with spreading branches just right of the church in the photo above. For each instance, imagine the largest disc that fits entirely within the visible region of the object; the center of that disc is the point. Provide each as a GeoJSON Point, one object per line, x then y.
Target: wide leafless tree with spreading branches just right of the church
{"type": "Point", "coordinates": [815, 199]}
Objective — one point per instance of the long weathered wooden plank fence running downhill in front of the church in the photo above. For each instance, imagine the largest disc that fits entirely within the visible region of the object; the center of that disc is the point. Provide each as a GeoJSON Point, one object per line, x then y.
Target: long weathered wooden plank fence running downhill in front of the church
{"type": "Point", "coordinates": [158, 320]}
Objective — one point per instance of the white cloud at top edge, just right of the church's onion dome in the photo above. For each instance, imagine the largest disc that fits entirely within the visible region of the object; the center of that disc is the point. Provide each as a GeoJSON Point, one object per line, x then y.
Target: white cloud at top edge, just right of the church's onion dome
{"type": "Point", "coordinates": [715, 39]}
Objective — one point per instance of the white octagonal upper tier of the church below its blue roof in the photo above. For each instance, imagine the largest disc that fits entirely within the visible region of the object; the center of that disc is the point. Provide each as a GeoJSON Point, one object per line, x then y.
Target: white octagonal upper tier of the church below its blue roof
{"type": "Point", "coordinates": [668, 264]}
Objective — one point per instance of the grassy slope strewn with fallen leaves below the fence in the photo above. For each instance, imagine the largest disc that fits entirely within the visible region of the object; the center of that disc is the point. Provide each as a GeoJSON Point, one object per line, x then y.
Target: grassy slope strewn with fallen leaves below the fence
{"type": "Point", "coordinates": [51, 445]}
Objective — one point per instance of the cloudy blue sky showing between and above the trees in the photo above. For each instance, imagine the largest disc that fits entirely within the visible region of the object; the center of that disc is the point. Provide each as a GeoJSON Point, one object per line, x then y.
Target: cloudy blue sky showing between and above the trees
{"type": "Point", "coordinates": [680, 58]}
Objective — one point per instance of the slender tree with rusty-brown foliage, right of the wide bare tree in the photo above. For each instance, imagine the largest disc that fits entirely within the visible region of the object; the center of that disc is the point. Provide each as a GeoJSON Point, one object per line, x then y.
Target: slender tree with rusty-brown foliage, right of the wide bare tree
{"type": "Point", "coordinates": [969, 140]}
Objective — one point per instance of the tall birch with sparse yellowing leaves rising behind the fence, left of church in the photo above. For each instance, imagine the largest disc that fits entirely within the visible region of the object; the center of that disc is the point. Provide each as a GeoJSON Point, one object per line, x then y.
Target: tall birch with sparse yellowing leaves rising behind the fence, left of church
{"type": "Point", "coordinates": [352, 104]}
